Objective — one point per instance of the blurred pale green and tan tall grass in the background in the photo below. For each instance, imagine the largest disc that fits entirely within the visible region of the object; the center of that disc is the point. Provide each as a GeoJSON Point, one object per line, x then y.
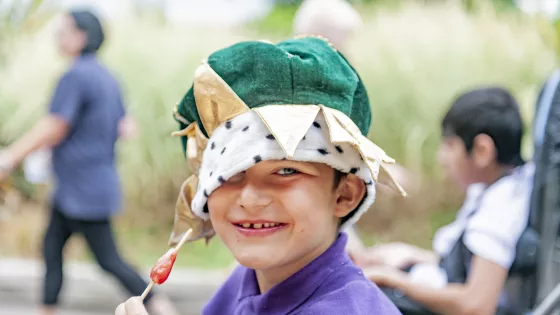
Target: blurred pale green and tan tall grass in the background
{"type": "Point", "coordinates": [414, 57]}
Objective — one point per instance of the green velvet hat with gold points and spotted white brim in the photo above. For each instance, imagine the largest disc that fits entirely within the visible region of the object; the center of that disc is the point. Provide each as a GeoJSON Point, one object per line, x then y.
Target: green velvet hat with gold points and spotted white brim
{"type": "Point", "coordinates": [253, 92]}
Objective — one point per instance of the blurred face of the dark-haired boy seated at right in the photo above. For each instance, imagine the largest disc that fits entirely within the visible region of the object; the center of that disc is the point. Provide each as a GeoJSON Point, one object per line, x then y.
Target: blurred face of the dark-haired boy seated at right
{"type": "Point", "coordinates": [456, 161]}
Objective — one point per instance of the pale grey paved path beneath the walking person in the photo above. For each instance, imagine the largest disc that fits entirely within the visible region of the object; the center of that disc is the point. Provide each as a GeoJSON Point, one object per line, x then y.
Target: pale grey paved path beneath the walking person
{"type": "Point", "coordinates": [88, 291]}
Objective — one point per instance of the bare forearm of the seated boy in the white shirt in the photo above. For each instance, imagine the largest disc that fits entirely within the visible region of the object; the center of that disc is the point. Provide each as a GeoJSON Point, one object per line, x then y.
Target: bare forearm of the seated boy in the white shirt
{"type": "Point", "coordinates": [478, 296]}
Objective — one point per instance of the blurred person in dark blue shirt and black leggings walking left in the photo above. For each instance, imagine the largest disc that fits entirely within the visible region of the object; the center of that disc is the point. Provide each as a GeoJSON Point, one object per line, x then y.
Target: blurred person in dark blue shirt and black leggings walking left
{"type": "Point", "coordinates": [86, 117]}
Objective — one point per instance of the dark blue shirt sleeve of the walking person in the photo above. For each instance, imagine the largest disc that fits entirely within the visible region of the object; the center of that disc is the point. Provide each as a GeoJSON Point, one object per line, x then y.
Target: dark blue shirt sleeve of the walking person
{"type": "Point", "coordinates": [68, 98]}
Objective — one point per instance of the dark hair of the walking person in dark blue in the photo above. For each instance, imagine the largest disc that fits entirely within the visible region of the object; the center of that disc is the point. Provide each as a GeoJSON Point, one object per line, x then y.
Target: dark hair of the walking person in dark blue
{"type": "Point", "coordinates": [88, 23]}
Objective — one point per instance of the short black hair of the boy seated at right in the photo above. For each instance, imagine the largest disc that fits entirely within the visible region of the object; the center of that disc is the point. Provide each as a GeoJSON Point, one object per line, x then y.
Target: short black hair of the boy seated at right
{"type": "Point", "coordinates": [492, 111]}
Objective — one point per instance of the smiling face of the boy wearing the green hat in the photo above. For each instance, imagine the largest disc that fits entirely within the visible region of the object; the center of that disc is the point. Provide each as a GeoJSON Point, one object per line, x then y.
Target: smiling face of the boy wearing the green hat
{"type": "Point", "coordinates": [279, 213]}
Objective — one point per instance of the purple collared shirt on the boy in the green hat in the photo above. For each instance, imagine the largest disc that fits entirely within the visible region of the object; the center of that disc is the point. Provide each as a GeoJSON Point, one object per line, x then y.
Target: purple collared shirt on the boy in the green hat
{"type": "Point", "coordinates": [330, 284]}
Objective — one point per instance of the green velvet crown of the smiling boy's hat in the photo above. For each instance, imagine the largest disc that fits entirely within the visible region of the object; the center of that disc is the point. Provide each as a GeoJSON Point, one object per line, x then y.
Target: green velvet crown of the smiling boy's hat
{"type": "Point", "coordinates": [298, 71]}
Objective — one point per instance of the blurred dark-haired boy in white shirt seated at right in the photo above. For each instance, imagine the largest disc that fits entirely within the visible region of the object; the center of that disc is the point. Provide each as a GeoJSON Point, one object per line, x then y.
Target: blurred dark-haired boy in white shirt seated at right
{"type": "Point", "coordinates": [481, 152]}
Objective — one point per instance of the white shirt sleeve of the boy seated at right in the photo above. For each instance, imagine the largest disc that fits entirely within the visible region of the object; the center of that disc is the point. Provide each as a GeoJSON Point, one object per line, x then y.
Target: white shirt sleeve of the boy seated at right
{"type": "Point", "coordinates": [493, 232]}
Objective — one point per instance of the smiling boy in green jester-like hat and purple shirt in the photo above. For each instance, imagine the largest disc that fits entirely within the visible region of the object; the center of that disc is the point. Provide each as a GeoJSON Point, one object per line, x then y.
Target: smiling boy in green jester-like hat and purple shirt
{"type": "Point", "coordinates": [278, 132]}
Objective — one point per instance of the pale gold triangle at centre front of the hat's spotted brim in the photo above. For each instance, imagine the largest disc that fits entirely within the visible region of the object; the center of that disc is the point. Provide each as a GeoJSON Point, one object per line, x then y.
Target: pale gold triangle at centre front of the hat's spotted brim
{"type": "Point", "coordinates": [289, 136]}
